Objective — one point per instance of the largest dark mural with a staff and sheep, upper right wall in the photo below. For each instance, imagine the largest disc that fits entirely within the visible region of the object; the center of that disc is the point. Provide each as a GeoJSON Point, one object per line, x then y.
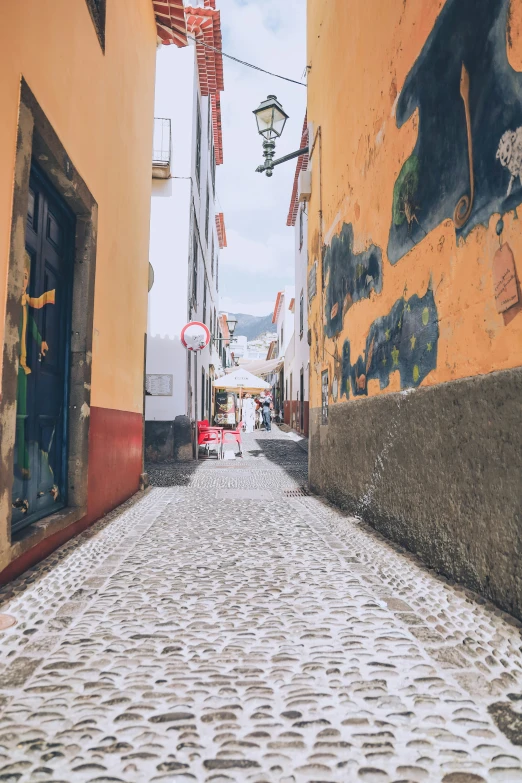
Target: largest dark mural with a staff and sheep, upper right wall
{"type": "Point", "coordinates": [467, 161]}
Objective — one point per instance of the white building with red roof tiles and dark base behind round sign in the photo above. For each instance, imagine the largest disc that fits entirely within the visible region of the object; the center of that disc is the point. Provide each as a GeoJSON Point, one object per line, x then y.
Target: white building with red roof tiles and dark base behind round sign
{"type": "Point", "coordinates": [187, 234]}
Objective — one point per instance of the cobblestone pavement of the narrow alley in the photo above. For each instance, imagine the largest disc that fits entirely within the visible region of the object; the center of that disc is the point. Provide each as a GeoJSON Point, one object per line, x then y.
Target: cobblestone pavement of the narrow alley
{"type": "Point", "coordinates": [227, 627]}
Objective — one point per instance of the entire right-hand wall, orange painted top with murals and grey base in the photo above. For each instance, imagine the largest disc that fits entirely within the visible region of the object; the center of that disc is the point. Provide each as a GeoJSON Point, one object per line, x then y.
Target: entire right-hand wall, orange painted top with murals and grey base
{"type": "Point", "coordinates": [413, 225]}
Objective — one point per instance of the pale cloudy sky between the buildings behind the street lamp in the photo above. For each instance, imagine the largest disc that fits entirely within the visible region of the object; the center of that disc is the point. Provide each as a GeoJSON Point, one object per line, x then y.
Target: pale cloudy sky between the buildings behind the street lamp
{"type": "Point", "coordinates": [259, 258]}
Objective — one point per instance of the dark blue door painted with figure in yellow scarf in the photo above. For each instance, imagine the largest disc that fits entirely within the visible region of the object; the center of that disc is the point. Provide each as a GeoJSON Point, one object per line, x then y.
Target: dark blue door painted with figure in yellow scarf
{"type": "Point", "coordinates": [40, 474]}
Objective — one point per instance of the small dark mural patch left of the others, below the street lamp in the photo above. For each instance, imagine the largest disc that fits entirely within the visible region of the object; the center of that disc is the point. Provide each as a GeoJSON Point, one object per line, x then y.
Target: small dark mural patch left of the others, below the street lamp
{"type": "Point", "coordinates": [349, 277]}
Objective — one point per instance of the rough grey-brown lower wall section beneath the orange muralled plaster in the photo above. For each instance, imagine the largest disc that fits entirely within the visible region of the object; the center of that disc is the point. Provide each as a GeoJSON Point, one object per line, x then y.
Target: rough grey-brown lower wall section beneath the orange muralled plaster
{"type": "Point", "coordinates": [439, 470]}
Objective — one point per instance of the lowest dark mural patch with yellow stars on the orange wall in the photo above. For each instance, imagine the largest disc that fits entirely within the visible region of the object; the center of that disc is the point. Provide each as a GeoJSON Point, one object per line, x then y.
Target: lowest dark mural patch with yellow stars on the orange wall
{"type": "Point", "coordinates": [405, 340]}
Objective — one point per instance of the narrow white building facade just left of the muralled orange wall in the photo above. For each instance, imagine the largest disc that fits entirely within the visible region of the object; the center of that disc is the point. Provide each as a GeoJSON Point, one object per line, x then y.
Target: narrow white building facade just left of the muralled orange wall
{"type": "Point", "coordinates": [297, 356]}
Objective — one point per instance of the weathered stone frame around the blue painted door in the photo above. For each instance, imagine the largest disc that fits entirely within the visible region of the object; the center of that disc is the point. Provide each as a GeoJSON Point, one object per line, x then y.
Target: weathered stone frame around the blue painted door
{"type": "Point", "coordinates": [38, 141]}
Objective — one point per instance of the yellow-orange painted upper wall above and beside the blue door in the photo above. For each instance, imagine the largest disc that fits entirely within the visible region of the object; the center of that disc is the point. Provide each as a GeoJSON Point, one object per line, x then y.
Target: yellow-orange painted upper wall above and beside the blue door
{"type": "Point", "coordinates": [101, 107]}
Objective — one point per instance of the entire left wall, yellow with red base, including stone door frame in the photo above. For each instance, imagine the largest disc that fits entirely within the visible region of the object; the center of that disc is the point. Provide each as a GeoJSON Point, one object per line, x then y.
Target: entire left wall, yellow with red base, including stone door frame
{"type": "Point", "coordinates": [87, 118]}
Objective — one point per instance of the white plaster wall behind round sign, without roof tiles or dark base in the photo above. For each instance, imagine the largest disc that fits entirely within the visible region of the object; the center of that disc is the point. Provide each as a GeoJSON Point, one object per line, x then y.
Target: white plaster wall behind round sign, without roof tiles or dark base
{"type": "Point", "coordinates": [176, 204]}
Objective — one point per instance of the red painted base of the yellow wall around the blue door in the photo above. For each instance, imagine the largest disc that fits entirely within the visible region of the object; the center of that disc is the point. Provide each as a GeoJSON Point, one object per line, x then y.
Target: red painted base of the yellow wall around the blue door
{"type": "Point", "coordinates": [115, 465]}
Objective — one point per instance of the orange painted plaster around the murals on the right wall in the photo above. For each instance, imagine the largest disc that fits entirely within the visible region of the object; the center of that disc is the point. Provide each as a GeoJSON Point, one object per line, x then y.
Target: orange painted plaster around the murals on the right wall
{"type": "Point", "coordinates": [360, 54]}
